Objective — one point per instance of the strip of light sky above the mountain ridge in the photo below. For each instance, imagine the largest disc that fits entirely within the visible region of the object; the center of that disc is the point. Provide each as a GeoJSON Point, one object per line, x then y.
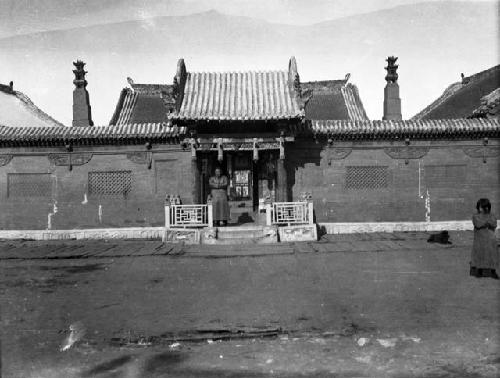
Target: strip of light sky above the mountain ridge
{"type": "Point", "coordinates": [29, 16]}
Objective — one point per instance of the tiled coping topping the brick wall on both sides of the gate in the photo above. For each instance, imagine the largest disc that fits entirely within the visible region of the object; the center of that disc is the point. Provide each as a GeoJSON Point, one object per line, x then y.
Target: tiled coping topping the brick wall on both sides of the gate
{"type": "Point", "coordinates": [167, 133]}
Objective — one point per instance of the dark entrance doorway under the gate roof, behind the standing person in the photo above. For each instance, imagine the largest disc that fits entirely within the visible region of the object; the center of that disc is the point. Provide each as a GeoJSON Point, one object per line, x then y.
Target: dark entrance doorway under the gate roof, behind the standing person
{"type": "Point", "coordinates": [251, 183]}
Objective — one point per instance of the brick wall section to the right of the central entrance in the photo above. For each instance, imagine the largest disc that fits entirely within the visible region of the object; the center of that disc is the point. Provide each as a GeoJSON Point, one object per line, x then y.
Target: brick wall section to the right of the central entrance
{"type": "Point", "coordinates": [360, 182]}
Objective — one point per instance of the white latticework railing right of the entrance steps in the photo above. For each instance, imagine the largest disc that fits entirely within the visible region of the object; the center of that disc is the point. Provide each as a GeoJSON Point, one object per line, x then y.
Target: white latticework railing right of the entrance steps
{"type": "Point", "coordinates": [289, 213]}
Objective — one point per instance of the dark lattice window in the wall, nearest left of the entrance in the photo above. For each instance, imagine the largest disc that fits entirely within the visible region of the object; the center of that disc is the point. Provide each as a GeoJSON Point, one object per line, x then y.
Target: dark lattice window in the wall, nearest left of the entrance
{"type": "Point", "coordinates": [112, 183]}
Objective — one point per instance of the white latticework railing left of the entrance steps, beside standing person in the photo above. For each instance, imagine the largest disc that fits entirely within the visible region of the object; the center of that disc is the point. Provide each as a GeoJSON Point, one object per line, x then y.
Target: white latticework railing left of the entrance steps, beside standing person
{"type": "Point", "coordinates": [188, 216]}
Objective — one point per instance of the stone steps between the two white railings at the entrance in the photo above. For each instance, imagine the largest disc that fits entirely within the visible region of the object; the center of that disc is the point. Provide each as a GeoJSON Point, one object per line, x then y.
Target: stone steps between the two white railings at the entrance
{"type": "Point", "coordinates": [241, 235]}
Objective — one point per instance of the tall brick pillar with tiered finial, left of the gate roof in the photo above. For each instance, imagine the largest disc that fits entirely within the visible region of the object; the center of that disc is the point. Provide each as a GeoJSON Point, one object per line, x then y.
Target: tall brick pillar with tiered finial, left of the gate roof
{"type": "Point", "coordinates": [82, 115]}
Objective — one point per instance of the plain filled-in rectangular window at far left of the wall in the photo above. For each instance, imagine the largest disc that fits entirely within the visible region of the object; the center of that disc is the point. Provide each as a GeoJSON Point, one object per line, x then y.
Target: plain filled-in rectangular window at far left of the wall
{"type": "Point", "coordinates": [29, 185]}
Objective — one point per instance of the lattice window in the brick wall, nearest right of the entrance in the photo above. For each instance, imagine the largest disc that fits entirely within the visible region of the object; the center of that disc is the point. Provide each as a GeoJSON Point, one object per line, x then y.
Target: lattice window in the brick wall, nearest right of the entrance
{"type": "Point", "coordinates": [366, 177]}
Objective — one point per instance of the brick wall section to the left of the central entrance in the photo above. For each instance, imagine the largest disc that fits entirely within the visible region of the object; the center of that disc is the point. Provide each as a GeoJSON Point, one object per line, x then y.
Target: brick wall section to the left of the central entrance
{"type": "Point", "coordinates": [125, 192]}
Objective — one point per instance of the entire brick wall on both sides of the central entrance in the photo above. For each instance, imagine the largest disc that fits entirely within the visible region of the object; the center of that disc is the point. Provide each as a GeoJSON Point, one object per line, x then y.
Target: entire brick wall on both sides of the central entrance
{"type": "Point", "coordinates": [350, 182]}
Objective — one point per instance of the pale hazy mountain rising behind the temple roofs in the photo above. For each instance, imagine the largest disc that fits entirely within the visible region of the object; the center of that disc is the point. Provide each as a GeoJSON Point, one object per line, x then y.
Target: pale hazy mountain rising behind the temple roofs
{"type": "Point", "coordinates": [435, 42]}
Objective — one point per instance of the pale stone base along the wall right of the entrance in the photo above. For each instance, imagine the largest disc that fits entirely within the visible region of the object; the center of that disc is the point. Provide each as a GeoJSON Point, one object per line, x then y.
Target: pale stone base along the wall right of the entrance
{"type": "Point", "coordinates": [353, 228]}
